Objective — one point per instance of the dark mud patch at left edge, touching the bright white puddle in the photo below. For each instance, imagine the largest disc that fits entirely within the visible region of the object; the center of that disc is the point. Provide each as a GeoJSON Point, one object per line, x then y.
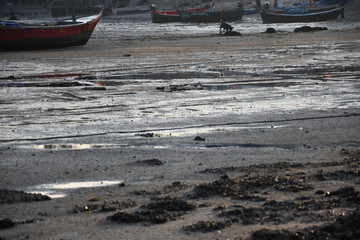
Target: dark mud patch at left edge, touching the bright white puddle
{"type": "Point", "coordinates": [13, 196]}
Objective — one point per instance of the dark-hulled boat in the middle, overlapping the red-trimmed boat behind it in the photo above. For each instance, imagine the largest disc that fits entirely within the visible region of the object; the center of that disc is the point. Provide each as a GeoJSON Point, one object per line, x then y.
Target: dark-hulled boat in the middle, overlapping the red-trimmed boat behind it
{"type": "Point", "coordinates": [212, 16]}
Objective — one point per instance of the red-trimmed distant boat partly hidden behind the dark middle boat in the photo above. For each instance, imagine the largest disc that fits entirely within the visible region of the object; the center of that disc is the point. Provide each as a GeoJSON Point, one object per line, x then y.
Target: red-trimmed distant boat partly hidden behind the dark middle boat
{"type": "Point", "coordinates": [172, 15]}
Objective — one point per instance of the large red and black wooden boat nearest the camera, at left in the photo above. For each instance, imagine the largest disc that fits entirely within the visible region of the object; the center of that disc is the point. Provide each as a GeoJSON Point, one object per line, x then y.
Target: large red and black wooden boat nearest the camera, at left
{"type": "Point", "coordinates": [71, 32]}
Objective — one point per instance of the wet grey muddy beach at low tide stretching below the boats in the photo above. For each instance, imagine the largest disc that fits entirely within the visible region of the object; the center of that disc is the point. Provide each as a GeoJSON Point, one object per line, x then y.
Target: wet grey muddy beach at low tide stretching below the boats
{"type": "Point", "coordinates": [183, 136]}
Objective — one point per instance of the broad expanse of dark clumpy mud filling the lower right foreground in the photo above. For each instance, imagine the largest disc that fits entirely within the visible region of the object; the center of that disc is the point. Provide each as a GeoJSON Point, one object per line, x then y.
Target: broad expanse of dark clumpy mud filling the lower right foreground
{"type": "Point", "coordinates": [291, 197]}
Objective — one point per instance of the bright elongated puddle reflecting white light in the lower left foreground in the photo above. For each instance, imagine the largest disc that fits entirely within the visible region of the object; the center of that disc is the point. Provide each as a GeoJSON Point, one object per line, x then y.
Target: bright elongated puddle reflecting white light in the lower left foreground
{"type": "Point", "coordinates": [59, 190]}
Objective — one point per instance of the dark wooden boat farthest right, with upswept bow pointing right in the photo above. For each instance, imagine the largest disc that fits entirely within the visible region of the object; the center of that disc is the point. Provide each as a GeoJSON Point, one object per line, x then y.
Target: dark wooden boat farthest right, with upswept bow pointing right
{"type": "Point", "coordinates": [270, 17]}
